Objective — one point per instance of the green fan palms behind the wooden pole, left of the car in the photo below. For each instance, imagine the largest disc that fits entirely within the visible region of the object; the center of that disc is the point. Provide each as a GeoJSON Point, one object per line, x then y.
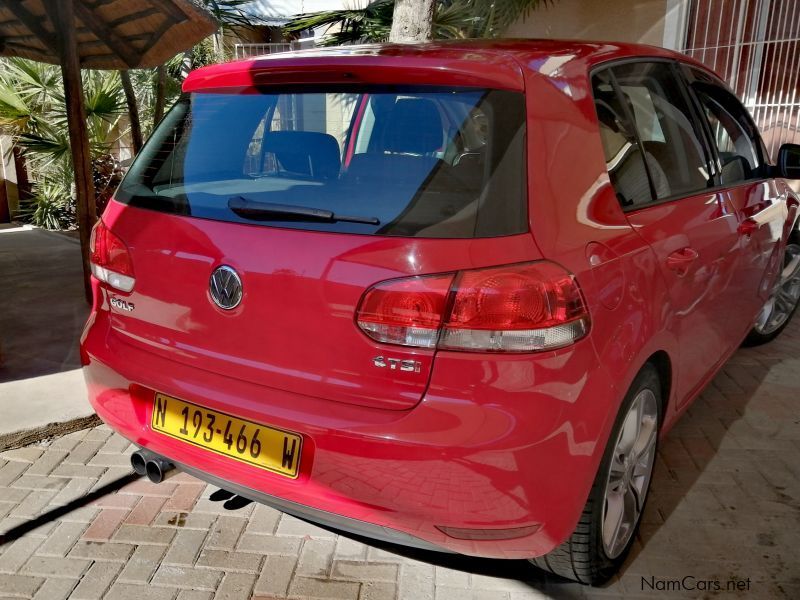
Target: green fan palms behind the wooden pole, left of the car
{"type": "Point", "coordinates": [33, 113]}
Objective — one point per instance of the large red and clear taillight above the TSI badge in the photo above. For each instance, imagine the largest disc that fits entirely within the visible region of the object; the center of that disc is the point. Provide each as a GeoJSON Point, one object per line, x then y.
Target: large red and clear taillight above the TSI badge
{"type": "Point", "coordinates": [517, 308]}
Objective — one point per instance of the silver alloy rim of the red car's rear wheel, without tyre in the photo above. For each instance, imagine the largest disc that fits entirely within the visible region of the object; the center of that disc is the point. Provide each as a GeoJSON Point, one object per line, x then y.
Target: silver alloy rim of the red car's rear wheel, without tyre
{"type": "Point", "coordinates": [630, 473]}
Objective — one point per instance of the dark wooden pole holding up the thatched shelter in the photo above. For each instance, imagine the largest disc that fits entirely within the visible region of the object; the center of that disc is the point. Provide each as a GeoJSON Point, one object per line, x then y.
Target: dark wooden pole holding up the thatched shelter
{"type": "Point", "coordinates": [63, 15]}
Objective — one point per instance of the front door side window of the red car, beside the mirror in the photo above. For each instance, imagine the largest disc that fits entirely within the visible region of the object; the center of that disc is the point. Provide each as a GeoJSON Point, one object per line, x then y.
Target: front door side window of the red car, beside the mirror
{"type": "Point", "coordinates": [730, 128]}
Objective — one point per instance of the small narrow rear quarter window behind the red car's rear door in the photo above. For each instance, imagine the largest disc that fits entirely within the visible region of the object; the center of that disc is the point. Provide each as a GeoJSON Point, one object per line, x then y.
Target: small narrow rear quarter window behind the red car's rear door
{"type": "Point", "coordinates": [624, 160]}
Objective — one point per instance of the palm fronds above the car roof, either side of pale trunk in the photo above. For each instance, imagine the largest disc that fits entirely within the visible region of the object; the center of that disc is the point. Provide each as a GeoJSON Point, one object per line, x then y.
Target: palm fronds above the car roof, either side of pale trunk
{"type": "Point", "coordinates": [452, 19]}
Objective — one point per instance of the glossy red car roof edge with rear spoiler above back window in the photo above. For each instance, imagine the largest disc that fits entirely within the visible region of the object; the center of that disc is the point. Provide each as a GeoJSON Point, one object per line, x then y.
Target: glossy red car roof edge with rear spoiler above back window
{"type": "Point", "coordinates": [497, 63]}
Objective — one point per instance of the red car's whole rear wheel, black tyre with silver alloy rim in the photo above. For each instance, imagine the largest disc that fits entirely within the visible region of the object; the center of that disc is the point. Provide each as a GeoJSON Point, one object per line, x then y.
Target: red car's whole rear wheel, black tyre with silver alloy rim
{"type": "Point", "coordinates": [592, 554]}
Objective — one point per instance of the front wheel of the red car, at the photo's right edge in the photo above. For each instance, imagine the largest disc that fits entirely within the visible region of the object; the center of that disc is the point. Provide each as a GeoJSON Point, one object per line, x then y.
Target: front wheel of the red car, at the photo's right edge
{"type": "Point", "coordinates": [782, 304]}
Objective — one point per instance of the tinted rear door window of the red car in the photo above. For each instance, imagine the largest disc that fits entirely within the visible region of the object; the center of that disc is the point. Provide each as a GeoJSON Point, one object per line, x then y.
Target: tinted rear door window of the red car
{"type": "Point", "coordinates": [675, 156]}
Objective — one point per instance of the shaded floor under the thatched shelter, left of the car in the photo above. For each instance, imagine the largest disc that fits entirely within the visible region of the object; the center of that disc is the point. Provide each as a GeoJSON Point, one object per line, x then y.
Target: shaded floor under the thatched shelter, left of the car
{"type": "Point", "coordinates": [42, 306]}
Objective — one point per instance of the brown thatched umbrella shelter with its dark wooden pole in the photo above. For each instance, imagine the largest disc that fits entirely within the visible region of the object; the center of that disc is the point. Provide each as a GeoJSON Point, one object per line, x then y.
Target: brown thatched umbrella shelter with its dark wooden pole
{"type": "Point", "coordinates": [97, 34]}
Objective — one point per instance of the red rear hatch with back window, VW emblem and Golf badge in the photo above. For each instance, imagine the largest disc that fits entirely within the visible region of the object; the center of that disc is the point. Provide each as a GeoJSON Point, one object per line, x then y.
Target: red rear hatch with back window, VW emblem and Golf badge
{"type": "Point", "coordinates": [311, 196]}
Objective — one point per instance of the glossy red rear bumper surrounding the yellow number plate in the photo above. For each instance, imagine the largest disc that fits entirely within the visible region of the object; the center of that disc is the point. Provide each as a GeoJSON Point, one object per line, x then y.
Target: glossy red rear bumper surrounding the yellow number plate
{"type": "Point", "coordinates": [497, 443]}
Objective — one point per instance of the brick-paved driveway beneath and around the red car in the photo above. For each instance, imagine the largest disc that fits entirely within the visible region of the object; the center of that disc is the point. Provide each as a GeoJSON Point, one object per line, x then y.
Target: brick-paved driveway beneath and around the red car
{"type": "Point", "coordinates": [725, 504]}
